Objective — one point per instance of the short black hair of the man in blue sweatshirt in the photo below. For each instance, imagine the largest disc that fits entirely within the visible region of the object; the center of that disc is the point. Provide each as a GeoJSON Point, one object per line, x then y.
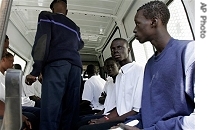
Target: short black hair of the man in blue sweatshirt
{"type": "Point", "coordinates": [156, 9]}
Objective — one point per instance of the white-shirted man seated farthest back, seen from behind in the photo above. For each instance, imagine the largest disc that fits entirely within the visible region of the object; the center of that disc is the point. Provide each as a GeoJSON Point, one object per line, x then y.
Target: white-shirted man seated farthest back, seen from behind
{"type": "Point", "coordinates": [92, 90]}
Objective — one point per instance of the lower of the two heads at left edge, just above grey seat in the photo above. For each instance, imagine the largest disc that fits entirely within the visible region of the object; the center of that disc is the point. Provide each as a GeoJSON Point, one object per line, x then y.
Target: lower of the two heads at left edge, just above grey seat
{"type": "Point", "coordinates": [6, 62]}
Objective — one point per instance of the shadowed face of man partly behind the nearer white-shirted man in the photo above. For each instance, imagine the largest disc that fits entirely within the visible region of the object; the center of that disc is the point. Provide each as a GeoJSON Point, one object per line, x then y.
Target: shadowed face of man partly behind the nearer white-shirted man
{"type": "Point", "coordinates": [111, 68]}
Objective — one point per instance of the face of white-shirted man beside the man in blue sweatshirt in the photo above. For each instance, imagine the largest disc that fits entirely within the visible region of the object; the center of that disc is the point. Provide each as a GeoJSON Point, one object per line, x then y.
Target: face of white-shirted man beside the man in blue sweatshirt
{"type": "Point", "coordinates": [119, 50]}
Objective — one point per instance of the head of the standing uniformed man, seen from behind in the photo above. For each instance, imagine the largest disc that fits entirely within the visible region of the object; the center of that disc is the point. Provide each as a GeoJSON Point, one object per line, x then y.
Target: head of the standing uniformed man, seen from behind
{"type": "Point", "coordinates": [59, 6]}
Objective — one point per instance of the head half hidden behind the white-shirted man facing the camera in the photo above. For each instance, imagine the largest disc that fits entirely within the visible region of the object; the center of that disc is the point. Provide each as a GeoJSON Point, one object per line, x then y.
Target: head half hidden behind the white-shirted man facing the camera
{"type": "Point", "coordinates": [111, 67]}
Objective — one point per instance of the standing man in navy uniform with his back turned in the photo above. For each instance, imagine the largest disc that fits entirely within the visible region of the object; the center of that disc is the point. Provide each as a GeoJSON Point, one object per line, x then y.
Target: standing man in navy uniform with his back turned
{"type": "Point", "coordinates": [55, 54]}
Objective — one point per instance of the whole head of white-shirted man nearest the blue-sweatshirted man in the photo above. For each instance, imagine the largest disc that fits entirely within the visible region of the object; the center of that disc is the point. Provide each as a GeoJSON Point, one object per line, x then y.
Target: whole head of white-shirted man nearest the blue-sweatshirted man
{"type": "Point", "coordinates": [120, 51]}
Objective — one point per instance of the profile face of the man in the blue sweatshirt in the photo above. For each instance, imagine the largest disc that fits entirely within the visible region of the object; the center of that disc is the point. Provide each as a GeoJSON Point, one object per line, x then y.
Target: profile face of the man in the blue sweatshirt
{"type": "Point", "coordinates": [143, 28]}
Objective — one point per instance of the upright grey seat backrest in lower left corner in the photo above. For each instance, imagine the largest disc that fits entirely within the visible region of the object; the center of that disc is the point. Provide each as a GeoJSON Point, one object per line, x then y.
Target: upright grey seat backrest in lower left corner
{"type": "Point", "coordinates": [13, 110]}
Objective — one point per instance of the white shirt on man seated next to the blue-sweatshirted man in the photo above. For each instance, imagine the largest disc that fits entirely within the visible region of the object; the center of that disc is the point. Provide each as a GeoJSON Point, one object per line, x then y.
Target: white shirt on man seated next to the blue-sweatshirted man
{"type": "Point", "coordinates": [129, 84]}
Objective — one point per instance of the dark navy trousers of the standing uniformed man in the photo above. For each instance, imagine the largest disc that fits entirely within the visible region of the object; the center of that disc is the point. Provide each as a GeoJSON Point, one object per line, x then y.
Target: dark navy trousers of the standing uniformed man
{"type": "Point", "coordinates": [60, 96]}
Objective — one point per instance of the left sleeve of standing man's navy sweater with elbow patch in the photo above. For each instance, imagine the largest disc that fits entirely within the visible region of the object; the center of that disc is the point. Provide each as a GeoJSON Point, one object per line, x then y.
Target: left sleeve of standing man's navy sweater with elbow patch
{"type": "Point", "coordinates": [40, 48]}
